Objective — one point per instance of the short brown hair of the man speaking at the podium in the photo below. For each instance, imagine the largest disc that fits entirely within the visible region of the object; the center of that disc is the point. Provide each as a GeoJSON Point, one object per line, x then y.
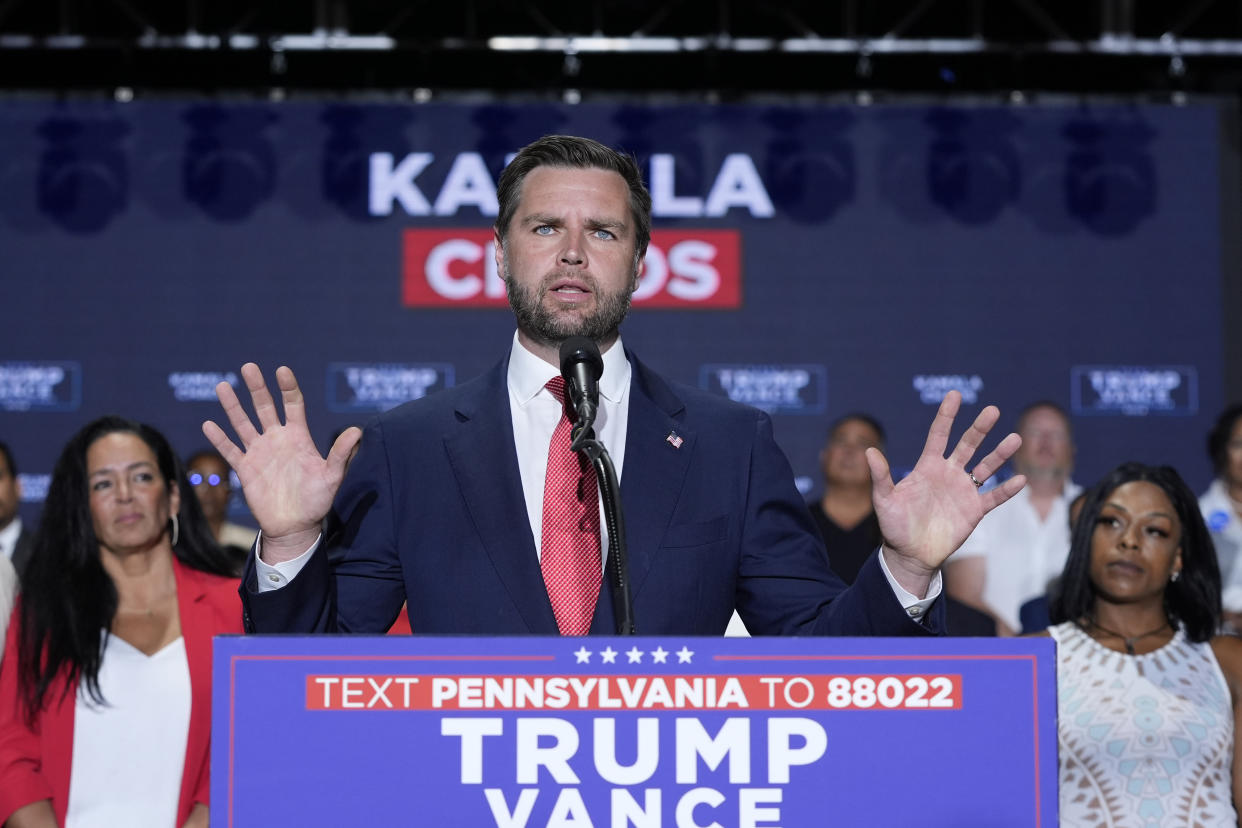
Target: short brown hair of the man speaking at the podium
{"type": "Point", "coordinates": [569, 152]}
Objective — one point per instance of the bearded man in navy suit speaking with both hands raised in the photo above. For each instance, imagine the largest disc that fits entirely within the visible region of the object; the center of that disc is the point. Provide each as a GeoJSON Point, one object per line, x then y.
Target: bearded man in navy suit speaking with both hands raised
{"type": "Point", "coordinates": [445, 501]}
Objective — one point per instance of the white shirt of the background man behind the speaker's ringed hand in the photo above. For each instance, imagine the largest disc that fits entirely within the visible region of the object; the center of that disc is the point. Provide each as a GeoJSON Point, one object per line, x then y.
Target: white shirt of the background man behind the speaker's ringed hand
{"type": "Point", "coordinates": [1024, 552]}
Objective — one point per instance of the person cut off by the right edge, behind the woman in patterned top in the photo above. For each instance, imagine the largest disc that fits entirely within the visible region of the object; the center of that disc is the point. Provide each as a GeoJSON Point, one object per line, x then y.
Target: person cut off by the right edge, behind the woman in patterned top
{"type": "Point", "coordinates": [1222, 507]}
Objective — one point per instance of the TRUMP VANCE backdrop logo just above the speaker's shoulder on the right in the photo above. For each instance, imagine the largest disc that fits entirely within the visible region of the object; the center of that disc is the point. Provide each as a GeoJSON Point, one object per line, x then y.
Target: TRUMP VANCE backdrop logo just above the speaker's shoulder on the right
{"type": "Point", "coordinates": [787, 389]}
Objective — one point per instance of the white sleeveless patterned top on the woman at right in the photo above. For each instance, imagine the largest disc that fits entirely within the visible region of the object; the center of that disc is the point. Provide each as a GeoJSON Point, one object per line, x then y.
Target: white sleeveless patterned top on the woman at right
{"type": "Point", "coordinates": [1145, 742]}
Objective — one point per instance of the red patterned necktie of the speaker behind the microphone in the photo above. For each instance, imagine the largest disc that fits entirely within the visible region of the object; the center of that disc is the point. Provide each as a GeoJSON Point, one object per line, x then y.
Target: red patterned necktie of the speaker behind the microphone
{"type": "Point", "coordinates": [571, 547]}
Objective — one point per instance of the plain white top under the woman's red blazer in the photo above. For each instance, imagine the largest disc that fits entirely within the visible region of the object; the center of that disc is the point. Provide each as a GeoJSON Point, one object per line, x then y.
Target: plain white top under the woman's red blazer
{"type": "Point", "coordinates": [130, 754]}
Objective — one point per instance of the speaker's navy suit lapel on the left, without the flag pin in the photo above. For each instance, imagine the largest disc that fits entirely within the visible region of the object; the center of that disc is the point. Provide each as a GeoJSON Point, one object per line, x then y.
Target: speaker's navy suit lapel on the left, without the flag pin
{"type": "Point", "coordinates": [485, 464]}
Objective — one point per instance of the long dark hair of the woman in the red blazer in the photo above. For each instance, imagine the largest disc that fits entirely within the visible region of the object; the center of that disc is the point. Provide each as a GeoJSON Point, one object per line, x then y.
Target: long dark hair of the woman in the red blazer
{"type": "Point", "coordinates": [66, 596]}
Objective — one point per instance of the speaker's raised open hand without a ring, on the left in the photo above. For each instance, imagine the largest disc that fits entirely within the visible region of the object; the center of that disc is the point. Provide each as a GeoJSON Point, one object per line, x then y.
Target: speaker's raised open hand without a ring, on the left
{"type": "Point", "coordinates": [289, 486]}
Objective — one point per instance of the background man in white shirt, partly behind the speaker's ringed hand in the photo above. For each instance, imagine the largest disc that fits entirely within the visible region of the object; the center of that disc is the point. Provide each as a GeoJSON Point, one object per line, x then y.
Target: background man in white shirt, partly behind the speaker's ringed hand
{"type": "Point", "coordinates": [1022, 547]}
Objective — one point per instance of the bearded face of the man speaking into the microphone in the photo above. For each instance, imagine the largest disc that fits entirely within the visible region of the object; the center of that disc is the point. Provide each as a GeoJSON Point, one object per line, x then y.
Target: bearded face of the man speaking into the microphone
{"type": "Point", "coordinates": [568, 259]}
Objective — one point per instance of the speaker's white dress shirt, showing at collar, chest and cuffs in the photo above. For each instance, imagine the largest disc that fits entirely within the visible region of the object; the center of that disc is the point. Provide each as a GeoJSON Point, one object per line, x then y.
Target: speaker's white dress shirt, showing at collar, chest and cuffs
{"type": "Point", "coordinates": [536, 414]}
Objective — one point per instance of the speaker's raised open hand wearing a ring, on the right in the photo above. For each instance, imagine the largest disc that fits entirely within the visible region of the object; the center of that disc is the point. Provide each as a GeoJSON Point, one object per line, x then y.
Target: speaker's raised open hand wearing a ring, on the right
{"type": "Point", "coordinates": [931, 513]}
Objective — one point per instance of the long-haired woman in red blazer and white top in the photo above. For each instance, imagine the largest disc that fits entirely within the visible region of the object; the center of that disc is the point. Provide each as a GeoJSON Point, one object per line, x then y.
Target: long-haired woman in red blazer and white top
{"type": "Point", "coordinates": [106, 683]}
